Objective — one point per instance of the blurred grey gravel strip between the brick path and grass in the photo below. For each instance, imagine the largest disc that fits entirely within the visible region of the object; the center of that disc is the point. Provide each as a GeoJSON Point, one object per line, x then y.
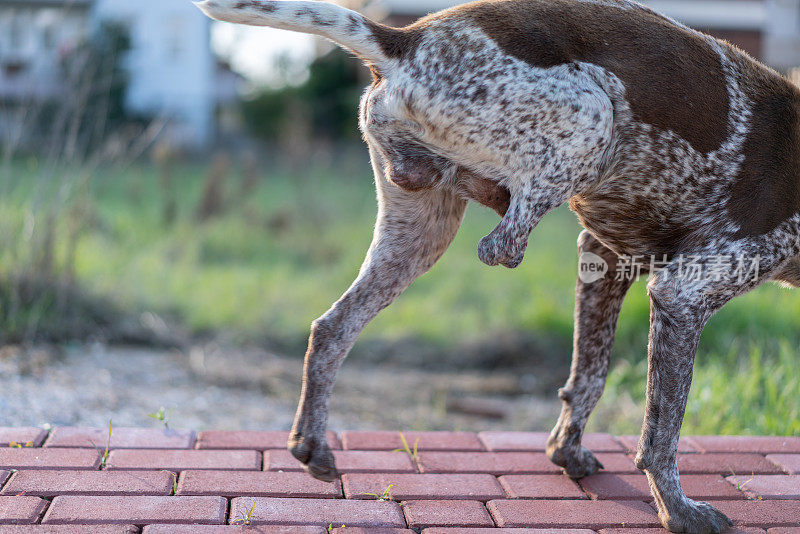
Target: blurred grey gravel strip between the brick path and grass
{"type": "Point", "coordinates": [211, 387]}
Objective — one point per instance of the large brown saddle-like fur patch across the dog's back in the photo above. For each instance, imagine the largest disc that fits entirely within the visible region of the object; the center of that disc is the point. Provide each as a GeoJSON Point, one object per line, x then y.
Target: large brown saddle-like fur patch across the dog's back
{"type": "Point", "coordinates": [674, 79]}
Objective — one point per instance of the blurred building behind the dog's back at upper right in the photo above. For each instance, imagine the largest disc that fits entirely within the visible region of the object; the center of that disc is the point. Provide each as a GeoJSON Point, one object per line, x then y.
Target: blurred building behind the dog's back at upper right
{"type": "Point", "coordinates": [767, 29]}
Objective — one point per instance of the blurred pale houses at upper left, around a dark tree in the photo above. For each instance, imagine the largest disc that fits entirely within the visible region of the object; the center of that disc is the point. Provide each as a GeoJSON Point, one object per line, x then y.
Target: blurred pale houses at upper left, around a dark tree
{"type": "Point", "coordinates": [172, 71]}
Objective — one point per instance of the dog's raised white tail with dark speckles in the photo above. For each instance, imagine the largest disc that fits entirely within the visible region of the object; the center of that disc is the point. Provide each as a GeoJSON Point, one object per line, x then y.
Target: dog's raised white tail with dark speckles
{"type": "Point", "coordinates": [346, 28]}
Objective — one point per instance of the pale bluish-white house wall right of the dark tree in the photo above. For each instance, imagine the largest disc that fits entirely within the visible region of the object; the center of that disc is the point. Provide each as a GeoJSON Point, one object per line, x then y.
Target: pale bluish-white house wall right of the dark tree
{"type": "Point", "coordinates": [172, 69]}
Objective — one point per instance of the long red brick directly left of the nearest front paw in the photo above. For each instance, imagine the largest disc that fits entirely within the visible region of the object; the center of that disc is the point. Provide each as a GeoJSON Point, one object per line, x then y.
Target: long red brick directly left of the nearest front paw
{"type": "Point", "coordinates": [580, 514]}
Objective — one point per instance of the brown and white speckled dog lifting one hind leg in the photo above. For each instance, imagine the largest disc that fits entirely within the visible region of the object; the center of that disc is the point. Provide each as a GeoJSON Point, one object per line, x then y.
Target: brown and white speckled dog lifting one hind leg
{"type": "Point", "coordinates": [666, 142]}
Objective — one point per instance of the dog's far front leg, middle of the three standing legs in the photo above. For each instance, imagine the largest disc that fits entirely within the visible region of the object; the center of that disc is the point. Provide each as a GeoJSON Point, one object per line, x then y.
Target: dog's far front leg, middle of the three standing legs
{"type": "Point", "coordinates": [597, 307]}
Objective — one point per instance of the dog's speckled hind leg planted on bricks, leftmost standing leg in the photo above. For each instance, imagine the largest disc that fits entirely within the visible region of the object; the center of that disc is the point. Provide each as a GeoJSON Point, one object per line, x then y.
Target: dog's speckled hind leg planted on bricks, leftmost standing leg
{"type": "Point", "coordinates": [412, 232]}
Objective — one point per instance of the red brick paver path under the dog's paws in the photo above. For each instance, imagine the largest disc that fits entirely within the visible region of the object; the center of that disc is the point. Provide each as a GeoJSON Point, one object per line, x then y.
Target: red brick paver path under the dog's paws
{"type": "Point", "coordinates": [165, 481]}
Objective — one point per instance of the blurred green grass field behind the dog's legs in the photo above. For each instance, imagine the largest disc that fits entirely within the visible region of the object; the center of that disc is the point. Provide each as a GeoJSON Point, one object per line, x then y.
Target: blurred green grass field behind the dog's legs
{"type": "Point", "coordinates": [278, 255]}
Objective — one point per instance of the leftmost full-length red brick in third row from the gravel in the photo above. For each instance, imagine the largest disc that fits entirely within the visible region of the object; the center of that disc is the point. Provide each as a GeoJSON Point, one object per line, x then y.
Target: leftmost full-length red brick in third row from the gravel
{"type": "Point", "coordinates": [53, 483]}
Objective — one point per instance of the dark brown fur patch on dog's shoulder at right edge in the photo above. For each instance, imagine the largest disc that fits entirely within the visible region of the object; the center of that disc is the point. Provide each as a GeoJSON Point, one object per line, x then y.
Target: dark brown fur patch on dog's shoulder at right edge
{"type": "Point", "coordinates": [767, 190]}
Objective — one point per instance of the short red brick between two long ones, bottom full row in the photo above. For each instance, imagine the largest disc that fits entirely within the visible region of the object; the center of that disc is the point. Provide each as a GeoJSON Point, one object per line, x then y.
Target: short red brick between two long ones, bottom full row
{"type": "Point", "coordinates": [421, 514]}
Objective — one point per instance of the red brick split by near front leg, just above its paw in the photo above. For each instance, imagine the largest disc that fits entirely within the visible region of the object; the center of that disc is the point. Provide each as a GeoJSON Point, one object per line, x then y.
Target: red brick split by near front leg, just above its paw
{"type": "Point", "coordinates": [606, 486]}
